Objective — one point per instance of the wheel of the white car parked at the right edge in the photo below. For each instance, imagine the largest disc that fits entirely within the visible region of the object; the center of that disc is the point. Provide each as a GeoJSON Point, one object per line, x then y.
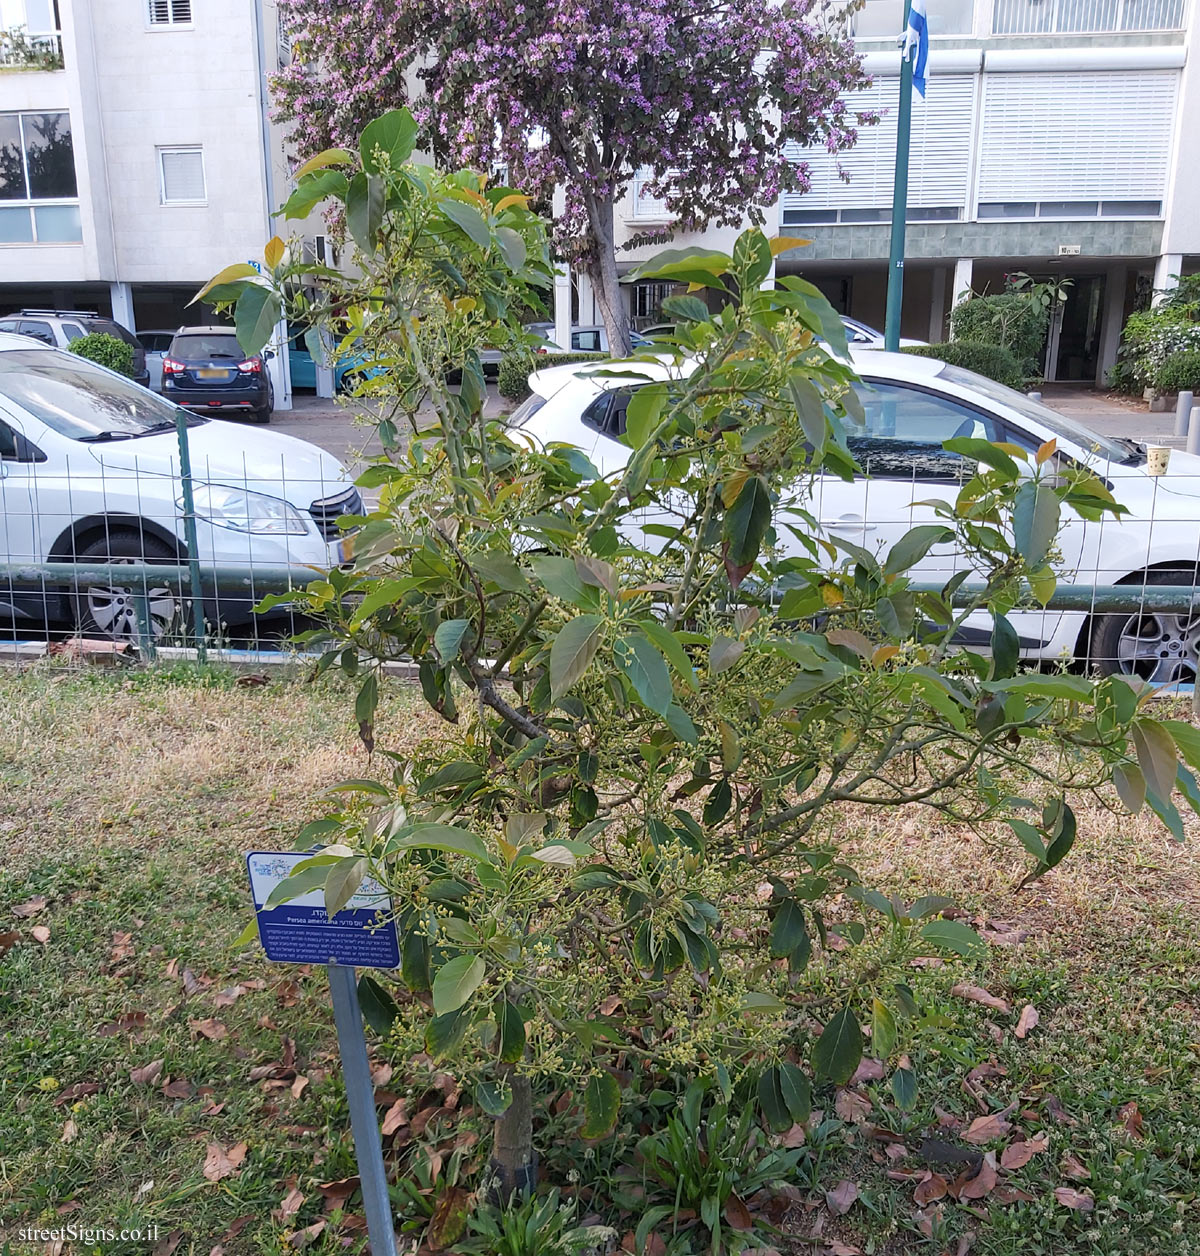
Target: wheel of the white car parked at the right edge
{"type": "Point", "coordinates": [1159, 647]}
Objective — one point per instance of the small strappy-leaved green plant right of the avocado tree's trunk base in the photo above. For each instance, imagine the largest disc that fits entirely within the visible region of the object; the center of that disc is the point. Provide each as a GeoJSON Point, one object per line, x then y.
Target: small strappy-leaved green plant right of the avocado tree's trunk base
{"type": "Point", "coordinates": [707, 1166]}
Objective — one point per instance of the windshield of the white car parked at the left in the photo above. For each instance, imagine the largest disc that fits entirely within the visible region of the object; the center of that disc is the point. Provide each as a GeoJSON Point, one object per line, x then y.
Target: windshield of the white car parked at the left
{"type": "Point", "coordinates": [80, 400]}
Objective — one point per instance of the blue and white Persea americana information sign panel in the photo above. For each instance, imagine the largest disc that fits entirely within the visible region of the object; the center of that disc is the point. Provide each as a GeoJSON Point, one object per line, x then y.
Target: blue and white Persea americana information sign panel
{"type": "Point", "coordinates": [363, 935]}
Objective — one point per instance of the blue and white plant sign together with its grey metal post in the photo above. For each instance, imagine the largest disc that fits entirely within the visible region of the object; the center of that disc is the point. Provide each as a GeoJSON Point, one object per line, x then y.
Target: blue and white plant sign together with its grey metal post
{"type": "Point", "coordinates": [364, 934]}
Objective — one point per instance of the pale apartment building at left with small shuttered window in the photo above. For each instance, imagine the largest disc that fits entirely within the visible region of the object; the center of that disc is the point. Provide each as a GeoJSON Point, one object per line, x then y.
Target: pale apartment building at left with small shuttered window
{"type": "Point", "coordinates": [136, 159]}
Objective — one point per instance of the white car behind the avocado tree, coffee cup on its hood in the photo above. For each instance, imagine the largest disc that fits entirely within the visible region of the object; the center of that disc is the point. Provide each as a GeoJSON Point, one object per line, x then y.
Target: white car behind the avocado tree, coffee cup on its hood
{"type": "Point", "coordinates": [913, 406]}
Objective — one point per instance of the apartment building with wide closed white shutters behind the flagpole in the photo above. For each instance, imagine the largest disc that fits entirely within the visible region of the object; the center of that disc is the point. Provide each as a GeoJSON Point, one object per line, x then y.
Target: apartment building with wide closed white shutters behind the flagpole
{"type": "Point", "coordinates": [1057, 139]}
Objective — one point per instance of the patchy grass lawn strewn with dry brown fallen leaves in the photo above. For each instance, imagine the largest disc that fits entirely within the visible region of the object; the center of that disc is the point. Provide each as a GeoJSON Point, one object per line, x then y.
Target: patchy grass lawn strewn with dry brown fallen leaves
{"type": "Point", "coordinates": [150, 1076]}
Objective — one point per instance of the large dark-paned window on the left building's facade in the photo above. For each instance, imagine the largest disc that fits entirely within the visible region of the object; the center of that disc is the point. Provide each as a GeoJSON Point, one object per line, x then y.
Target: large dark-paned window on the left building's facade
{"type": "Point", "coordinates": [38, 194]}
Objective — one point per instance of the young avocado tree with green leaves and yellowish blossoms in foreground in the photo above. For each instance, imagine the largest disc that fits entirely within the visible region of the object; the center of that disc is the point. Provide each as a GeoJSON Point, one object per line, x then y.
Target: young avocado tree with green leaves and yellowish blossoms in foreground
{"type": "Point", "coordinates": [662, 691]}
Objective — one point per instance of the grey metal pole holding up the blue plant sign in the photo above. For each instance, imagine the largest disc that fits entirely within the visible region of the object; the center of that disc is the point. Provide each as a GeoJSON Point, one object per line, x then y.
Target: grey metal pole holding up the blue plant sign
{"type": "Point", "coordinates": [360, 1092]}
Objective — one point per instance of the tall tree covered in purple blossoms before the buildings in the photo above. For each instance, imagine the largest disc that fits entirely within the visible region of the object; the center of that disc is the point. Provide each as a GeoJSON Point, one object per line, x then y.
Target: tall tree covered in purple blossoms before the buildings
{"type": "Point", "coordinates": [576, 96]}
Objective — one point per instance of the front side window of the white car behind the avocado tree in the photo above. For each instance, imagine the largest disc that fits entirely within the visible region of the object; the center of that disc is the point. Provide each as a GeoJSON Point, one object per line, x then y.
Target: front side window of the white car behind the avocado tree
{"type": "Point", "coordinates": [905, 430]}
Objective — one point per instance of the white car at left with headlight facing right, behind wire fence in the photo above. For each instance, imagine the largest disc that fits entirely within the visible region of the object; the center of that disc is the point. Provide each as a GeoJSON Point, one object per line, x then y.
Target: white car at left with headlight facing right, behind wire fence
{"type": "Point", "coordinates": [90, 472]}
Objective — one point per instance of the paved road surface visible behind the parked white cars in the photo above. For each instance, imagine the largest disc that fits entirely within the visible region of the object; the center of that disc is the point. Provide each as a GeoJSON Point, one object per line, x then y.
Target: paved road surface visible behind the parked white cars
{"type": "Point", "coordinates": [347, 430]}
